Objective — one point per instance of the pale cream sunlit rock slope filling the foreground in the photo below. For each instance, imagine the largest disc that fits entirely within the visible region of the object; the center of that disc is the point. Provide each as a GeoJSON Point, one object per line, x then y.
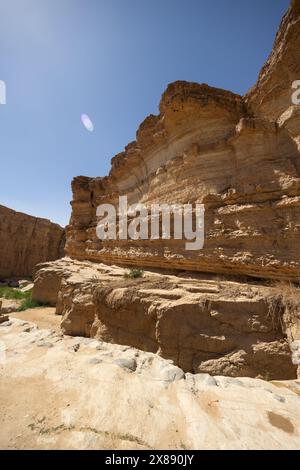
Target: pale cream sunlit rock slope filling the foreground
{"type": "Point", "coordinates": [101, 396]}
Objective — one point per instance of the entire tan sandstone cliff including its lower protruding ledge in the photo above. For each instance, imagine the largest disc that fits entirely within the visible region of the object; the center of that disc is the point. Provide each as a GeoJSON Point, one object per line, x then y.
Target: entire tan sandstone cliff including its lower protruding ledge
{"type": "Point", "coordinates": [239, 156]}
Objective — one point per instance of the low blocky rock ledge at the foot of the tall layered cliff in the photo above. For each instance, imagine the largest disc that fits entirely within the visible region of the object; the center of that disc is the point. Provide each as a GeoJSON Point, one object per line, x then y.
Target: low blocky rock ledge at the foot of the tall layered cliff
{"type": "Point", "coordinates": [216, 327]}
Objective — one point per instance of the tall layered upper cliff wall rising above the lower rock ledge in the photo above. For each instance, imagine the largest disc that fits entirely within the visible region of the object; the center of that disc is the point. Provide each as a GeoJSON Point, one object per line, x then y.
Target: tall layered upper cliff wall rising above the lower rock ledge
{"type": "Point", "coordinates": [237, 156]}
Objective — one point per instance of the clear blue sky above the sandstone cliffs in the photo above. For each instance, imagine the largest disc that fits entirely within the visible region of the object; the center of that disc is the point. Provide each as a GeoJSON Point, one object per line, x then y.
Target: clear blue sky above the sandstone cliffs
{"type": "Point", "coordinates": [111, 59]}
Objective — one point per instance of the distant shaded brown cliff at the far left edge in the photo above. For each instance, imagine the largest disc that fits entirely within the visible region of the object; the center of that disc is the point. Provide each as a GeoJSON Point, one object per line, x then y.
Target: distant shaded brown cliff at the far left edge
{"type": "Point", "coordinates": [26, 241]}
